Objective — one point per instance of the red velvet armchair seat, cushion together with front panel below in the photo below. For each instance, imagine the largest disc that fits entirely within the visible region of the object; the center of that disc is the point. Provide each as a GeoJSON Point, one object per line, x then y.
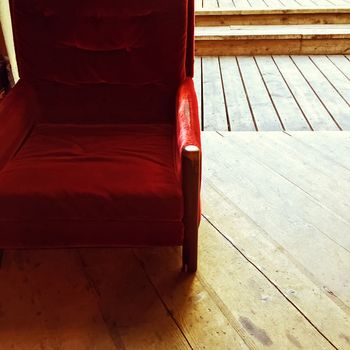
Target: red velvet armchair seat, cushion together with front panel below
{"type": "Point", "coordinates": [92, 185]}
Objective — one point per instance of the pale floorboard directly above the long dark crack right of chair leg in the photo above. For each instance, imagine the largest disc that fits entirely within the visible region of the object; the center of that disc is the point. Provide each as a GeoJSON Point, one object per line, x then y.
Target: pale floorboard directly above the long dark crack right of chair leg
{"type": "Point", "coordinates": [265, 253]}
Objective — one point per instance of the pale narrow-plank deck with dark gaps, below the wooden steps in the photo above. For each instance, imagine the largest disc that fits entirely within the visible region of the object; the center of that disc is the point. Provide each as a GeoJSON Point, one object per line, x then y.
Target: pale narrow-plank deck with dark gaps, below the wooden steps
{"type": "Point", "coordinates": [274, 93]}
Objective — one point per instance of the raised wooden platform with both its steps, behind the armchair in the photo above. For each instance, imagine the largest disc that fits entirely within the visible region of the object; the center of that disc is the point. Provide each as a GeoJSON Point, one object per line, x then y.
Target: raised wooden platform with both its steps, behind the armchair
{"type": "Point", "coordinates": [261, 27]}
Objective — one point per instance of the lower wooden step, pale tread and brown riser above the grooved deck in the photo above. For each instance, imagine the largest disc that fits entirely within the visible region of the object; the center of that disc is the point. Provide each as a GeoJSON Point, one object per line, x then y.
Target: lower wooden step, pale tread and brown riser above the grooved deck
{"type": "Point", "coordinates": [273, 40]}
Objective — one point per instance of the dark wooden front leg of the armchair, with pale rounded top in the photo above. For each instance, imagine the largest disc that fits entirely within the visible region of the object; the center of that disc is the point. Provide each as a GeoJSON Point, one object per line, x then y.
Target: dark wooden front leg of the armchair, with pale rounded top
{"type": "Point", "coordinates": [191, 188]}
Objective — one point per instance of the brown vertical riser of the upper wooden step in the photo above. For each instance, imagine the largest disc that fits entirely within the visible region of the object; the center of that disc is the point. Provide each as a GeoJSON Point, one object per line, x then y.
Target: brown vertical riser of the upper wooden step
{"type": "Point", "coordinates": [203, 20]}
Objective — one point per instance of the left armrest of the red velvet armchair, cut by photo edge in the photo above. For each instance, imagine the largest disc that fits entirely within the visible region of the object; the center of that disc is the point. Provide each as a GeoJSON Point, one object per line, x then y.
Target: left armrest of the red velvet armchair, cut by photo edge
{"type": "Point", "coordinates": [18, 112]}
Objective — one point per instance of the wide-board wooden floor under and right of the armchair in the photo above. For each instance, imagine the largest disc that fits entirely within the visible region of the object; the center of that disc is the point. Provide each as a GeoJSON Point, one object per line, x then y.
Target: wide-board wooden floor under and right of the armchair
{"type": "Point", "coordinates": [274, 264]}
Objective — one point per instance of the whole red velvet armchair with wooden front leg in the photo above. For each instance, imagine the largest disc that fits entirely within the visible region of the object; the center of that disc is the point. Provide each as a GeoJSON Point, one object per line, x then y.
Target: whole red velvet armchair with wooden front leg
{"type": "Point", "coordinates": [100, 138]}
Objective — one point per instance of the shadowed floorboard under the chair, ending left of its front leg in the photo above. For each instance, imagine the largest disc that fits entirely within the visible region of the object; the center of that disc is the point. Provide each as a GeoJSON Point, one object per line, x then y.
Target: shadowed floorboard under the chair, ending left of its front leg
{"type": "Point", "coordinates": [130, 306]}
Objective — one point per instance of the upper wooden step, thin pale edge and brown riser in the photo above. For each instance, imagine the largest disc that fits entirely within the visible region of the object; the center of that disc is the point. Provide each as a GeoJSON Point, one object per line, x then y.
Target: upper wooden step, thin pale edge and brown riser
{"type": "Point", "coordinates": [319, 15]}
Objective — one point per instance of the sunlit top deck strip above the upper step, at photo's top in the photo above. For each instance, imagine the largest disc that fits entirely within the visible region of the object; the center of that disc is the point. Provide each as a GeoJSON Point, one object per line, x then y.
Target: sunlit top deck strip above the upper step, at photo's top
{"type": "Point", "coordinates": [270, 4]}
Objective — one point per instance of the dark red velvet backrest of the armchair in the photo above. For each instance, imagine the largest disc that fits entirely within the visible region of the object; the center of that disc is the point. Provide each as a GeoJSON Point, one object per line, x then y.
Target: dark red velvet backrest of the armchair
{"type": "Point", "coordinates": [104, 61]}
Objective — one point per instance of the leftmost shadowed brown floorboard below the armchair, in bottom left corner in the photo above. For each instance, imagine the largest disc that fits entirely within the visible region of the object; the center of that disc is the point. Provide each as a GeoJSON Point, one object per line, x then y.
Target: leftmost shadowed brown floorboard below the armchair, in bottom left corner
{"type": "Point", "coordinates": [46, 303]}
